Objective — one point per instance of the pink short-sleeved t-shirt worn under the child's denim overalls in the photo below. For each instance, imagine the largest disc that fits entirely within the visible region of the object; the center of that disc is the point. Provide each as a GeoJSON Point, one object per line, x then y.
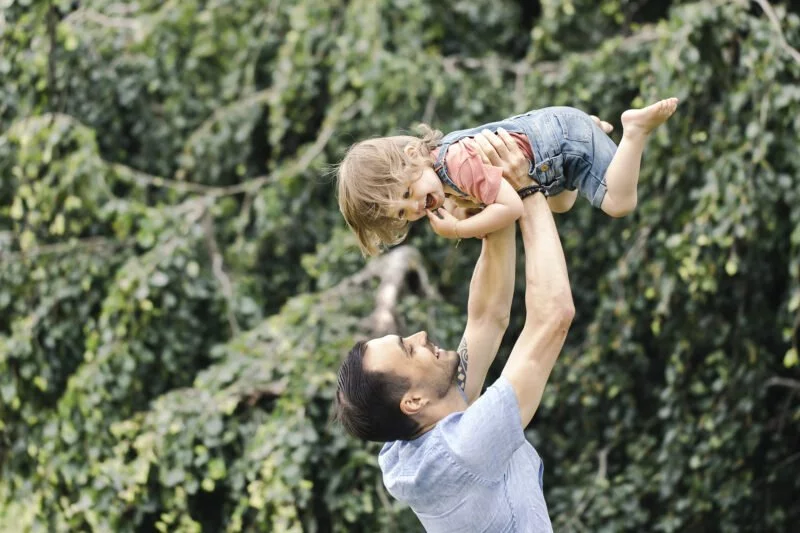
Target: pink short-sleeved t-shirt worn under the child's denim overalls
{"type": "Point", "coordinates": [479, 180]}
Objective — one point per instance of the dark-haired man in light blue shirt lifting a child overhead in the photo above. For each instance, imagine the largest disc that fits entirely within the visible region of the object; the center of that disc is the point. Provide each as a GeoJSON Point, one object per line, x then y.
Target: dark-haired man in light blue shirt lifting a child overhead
{"type": "Point", "coordinates": [461, 462]}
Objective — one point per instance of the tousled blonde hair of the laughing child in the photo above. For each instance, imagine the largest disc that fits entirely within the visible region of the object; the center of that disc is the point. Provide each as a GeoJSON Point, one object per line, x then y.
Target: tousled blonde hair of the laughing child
{"type": "Point", "coordinates": [372, 178]}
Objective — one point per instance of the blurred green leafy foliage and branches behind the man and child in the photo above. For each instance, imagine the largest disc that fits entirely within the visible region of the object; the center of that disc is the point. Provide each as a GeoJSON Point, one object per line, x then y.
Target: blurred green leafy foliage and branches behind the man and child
{"type": "Point", "coordinates": [177, 286]}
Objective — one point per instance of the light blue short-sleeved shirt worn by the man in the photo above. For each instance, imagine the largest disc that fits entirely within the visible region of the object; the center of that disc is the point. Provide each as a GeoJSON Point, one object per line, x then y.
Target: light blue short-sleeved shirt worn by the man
{"type": "Point", "coordinates": [474, 471]}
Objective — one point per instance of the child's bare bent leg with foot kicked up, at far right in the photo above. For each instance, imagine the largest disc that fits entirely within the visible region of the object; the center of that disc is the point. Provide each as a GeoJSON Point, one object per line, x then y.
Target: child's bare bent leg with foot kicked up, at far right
{"type": "Point", "coordinates": [622, 175]}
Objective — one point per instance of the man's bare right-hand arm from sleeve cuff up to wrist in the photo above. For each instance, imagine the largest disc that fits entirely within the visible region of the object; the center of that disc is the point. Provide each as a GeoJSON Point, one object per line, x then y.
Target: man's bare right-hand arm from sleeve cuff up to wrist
{"type": "Point", "coordinates": [548, 303]}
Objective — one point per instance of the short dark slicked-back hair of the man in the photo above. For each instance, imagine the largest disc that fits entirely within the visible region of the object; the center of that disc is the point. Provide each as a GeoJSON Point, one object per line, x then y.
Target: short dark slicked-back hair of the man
{"type": "Point", "coordinates": [368, 403]}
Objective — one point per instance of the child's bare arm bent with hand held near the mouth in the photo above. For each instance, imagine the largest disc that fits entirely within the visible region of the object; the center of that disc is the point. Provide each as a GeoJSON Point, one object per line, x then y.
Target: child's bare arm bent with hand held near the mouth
{"type": "Point", "coordinates": [506, 209]}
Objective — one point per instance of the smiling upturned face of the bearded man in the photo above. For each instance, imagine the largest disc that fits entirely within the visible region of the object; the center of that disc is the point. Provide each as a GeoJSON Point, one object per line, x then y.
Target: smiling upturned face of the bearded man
{"type": "Point", "coordinates": [430, 370]}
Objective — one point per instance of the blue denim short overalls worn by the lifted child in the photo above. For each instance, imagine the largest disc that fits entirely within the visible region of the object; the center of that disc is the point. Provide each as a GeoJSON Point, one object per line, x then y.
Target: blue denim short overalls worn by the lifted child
{"type": "Point", "coordinates": [570, 151]}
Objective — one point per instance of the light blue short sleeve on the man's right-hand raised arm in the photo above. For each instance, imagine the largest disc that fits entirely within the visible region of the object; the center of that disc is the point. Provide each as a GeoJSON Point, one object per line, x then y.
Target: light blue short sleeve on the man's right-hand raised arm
{"type": "Point", "coordinates": [485, 436]}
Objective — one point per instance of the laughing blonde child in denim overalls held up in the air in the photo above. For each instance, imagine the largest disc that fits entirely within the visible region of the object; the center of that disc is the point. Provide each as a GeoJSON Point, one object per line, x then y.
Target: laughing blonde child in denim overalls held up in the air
{"type": "Point", "coordinates": [387, 182]}
